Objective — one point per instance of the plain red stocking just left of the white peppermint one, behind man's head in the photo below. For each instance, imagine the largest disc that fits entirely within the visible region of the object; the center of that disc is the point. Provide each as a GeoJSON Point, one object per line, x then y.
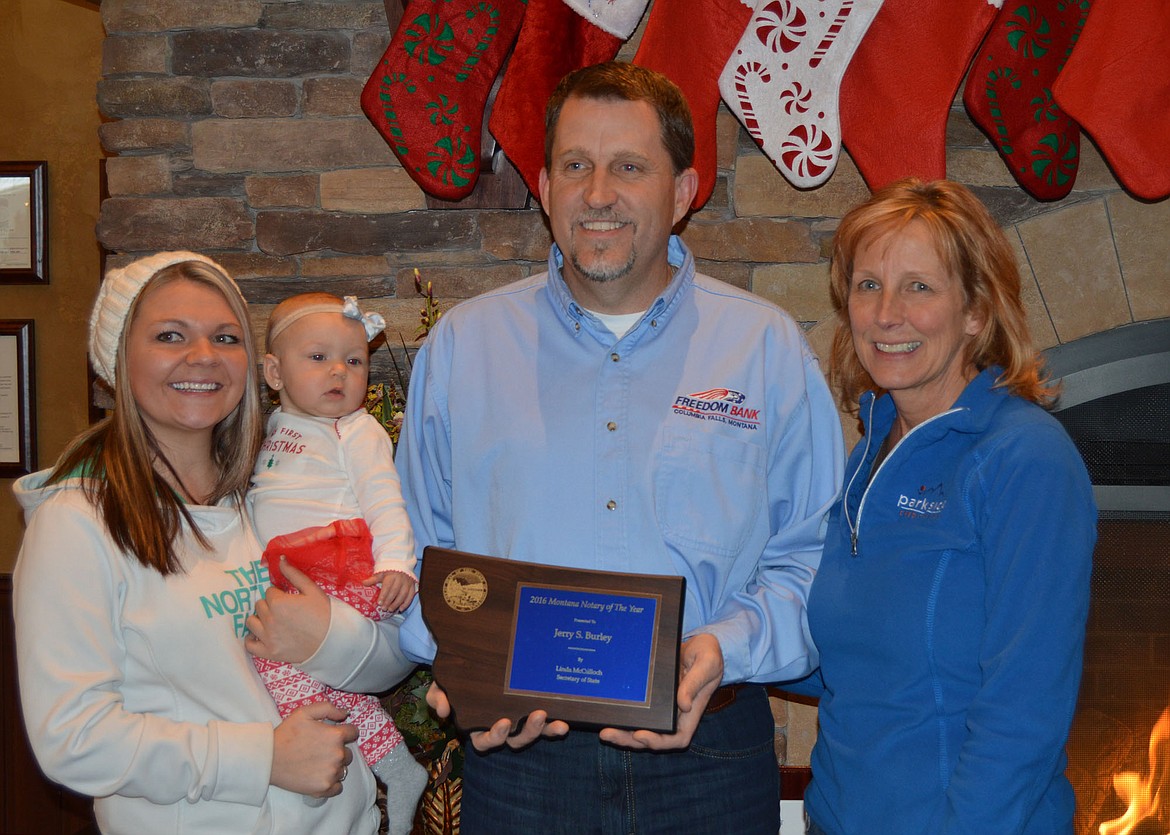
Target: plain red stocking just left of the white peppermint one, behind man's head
{"type": "Point", "coordinates": [690, 42]}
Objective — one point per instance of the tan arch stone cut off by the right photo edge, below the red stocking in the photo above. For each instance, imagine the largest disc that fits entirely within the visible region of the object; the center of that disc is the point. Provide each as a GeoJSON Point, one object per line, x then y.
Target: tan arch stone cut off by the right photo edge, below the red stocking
{"type": "Point", "coordinates": [1141, 232]}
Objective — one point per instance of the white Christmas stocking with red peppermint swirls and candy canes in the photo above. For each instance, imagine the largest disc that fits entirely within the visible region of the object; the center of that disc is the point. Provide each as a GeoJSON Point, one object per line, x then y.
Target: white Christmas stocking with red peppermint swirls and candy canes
{"type": "Point", "coordinates": [784, 77]}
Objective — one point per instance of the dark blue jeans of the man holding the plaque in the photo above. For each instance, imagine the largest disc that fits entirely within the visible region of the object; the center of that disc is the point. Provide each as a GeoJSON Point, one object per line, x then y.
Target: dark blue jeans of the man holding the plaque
{"type": "Point", "coordinates": [727, 782]}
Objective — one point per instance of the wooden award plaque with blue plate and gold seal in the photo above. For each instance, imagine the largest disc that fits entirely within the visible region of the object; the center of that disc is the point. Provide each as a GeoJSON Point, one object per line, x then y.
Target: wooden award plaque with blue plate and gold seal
{"type": "Point", "coordinates": [593, 648]}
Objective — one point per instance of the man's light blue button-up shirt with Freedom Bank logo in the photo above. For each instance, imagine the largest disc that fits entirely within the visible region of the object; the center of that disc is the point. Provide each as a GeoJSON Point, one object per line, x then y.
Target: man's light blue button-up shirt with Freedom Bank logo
{"type": "Point", "coordinates": [704, 444]}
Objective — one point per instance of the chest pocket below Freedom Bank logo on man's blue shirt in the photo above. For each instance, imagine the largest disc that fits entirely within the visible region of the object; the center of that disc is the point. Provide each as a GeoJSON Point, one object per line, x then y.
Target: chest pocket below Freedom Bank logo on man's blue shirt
{"type": "Point", "coordinates": [711, 492]}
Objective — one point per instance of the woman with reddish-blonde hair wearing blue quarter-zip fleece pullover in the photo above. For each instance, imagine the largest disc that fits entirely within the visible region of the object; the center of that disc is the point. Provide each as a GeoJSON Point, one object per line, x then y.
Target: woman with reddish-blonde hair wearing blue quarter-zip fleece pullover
{"type": "Point", "coordinates": [951, 604]}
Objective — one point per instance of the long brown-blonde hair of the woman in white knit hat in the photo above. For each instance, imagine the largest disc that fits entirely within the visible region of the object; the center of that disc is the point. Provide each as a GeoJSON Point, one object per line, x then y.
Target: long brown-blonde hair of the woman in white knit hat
{"type": "Point", "coordinates": [142, 513]}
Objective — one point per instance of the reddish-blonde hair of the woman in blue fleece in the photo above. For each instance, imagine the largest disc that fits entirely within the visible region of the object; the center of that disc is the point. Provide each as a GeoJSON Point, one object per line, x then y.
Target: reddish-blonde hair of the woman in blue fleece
{"type": "Point", "coordinates": [974, 249]}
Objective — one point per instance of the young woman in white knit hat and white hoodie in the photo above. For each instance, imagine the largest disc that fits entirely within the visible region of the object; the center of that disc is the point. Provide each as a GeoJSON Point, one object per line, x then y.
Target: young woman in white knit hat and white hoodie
{"type": "Point", "coordinates": [137, 576]}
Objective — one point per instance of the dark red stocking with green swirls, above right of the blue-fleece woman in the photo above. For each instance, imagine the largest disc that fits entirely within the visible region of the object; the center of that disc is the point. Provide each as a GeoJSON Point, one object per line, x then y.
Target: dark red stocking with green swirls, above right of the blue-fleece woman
{"type": "Point", "coordinates": [1009, 93]}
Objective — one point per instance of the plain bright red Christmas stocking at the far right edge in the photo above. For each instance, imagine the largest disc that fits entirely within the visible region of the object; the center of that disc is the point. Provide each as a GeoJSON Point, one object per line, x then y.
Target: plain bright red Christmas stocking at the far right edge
{"type": "Point", "coordinates": [1117, 85]}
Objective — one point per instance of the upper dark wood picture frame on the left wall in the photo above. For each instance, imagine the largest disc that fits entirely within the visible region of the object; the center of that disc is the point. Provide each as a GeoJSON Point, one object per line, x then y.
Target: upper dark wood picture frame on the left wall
{"type": "Point", "coordinates": [24, 234]}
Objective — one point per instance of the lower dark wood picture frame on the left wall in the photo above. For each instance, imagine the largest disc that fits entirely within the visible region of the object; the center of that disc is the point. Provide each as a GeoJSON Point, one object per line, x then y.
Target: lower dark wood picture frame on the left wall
{"type": "Point", "coordinates": [18, 399]}
